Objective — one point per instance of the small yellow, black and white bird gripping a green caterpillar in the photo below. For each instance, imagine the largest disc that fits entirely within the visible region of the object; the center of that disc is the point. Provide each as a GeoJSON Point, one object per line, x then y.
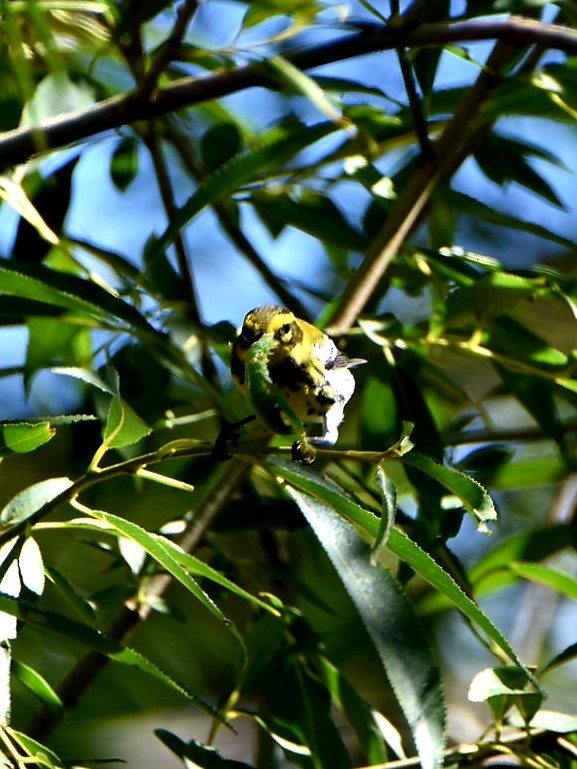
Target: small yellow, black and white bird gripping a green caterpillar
{"type": "Point", "coordinates": [303, 366]}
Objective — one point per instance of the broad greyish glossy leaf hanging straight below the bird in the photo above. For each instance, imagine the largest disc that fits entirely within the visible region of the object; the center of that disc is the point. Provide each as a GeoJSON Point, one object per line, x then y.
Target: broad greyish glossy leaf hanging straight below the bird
{"type": "Point", "coordinates": [390, 621]}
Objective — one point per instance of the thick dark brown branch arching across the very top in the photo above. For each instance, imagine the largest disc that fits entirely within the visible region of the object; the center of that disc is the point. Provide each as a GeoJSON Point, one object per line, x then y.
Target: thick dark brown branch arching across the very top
{"type": "Point", "coordinates": [19, 145]}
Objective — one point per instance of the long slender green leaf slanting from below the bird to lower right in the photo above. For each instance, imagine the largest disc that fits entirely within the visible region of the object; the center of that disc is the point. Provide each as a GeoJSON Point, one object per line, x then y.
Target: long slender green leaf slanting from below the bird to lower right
{"type": "Point", "coordinates": [309, 482]}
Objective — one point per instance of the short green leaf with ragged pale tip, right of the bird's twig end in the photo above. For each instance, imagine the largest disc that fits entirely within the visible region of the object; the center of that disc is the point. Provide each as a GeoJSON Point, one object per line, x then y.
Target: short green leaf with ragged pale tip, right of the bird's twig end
{"type": "Point", "coordinates": [473, 496]}
